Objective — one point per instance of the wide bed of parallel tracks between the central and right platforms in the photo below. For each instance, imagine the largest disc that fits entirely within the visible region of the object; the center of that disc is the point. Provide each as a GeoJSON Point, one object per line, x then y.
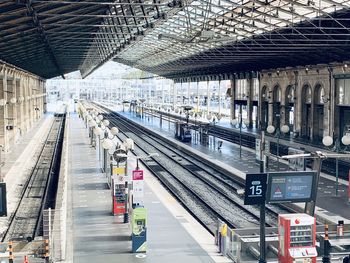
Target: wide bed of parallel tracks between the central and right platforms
{"type": "Point", "coordinates": [207, 193]}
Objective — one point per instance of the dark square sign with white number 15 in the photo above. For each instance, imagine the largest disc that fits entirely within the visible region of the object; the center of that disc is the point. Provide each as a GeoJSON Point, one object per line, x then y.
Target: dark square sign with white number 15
{"type": "Point", "coordinates": [255, 189]}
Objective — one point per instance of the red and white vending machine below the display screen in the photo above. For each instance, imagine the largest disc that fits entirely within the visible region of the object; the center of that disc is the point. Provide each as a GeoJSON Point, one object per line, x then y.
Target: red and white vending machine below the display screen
{"type": "Point", "coordinates": [297, 238]}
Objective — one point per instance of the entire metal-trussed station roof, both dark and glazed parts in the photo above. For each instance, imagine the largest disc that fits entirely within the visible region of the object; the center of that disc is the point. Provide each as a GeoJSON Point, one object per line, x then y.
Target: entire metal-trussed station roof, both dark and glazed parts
{"type": "Point", "coordinates": [172, 38]}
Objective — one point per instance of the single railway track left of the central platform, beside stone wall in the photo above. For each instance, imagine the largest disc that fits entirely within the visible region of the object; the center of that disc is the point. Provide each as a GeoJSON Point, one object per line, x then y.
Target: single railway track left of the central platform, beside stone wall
{"type": "Point", "coordinates": [39, 190]}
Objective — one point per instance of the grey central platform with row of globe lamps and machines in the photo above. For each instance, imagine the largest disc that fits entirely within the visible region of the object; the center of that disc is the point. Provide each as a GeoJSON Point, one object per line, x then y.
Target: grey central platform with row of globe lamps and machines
{"type": "Point", "coordinates": [95, 235]}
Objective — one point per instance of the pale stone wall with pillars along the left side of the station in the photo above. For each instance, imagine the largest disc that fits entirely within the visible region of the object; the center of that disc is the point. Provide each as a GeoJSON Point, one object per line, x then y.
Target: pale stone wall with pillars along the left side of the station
{"type": "Point", "coordinates": [22, 103]}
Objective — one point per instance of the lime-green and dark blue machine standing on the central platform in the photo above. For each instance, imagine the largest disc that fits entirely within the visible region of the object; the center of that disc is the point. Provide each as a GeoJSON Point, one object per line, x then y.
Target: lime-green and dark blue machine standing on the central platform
{"type": "Point", "coordinates": [139, 230]}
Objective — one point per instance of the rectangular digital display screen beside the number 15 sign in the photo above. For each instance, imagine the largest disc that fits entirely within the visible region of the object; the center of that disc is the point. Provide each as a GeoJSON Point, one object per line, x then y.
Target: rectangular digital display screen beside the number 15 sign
{"type": "Point", "coordinates": [291, 187]}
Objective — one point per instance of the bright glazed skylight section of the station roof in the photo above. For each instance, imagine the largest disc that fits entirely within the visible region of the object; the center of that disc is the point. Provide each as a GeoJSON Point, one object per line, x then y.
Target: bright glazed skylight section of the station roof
{"type": "Point", "coordinates": [204, 25]}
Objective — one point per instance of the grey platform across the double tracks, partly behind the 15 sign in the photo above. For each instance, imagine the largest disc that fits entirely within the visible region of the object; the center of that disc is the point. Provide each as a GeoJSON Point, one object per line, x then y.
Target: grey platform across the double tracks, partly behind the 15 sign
{"type": "Point", "coordinates": [329, 208]}
